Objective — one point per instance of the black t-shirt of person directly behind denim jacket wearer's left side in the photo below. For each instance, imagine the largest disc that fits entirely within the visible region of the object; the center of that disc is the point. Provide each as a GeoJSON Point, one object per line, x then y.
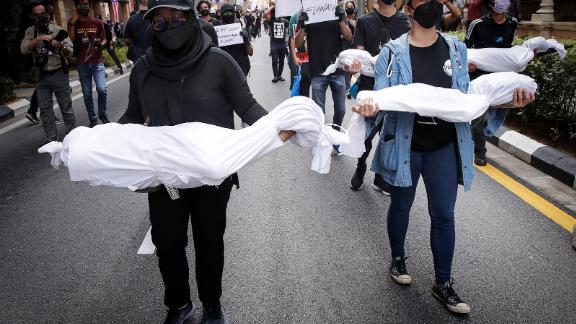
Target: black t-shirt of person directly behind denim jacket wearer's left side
{"type": "Point", "coordinates": [373, 31]}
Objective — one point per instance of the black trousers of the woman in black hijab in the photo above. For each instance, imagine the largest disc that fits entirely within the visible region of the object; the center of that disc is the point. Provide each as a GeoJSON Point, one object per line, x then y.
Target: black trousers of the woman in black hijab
{"type": "Point", "coordinates": [205, 207]}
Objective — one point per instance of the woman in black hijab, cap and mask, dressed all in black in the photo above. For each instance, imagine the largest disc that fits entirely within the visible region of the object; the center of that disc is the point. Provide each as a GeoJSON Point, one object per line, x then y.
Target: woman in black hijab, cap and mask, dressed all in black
{"type": "Point", "coordinates": [183, 78]}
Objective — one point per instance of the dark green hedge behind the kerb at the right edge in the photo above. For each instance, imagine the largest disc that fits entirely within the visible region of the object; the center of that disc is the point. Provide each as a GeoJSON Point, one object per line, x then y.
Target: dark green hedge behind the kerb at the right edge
{"type": "Point", "coordinates": [556, 96]}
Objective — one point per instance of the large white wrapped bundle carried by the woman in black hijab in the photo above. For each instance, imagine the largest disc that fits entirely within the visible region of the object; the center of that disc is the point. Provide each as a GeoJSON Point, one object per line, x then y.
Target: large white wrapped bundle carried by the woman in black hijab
{"type": "Point", "coordinates": [191, 154]}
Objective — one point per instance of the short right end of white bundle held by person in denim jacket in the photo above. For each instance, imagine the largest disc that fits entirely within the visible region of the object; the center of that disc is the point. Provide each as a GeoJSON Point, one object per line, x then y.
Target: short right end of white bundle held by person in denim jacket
{"type": "Point", "coordinates": [499, 87]}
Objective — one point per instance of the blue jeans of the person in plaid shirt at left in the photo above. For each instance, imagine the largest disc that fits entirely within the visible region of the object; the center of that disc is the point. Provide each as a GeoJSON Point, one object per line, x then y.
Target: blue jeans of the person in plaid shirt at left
{"type": "Point", "coordinates": [87, 72]}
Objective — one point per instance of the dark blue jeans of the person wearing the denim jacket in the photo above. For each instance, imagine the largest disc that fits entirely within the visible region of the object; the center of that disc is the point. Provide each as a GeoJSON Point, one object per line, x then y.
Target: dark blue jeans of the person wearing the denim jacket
{"type": "Point", "coordinates": [439, 170]}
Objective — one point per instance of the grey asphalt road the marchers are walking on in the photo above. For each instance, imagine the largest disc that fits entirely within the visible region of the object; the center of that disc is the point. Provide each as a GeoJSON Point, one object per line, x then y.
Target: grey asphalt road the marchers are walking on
{"type": "Point", "coordinates": [300, 247]}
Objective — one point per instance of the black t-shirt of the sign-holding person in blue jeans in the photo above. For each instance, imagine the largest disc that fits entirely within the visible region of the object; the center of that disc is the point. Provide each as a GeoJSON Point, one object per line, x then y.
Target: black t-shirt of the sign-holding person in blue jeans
{"type": "Point", "coordinates": [324, 45]}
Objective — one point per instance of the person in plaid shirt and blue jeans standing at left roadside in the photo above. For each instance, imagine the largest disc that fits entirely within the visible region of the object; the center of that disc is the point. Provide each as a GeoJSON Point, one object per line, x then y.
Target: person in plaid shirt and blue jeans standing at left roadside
{"type": "Point", "coordinates": [89, 39]}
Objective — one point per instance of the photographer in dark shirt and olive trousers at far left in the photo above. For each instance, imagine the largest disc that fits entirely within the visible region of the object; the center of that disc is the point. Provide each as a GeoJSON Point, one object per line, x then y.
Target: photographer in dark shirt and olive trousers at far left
{"type": "Point", "coordinates": [49, 46]}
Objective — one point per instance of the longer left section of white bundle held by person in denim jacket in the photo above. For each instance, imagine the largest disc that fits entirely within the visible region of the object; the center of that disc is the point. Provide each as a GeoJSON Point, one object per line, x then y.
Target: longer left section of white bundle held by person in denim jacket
{"type": "Point", "coordinates": [447, 104]}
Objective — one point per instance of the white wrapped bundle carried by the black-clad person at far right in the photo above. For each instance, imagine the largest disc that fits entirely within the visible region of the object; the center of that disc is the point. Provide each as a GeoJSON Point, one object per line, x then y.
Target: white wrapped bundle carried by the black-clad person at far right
{"type": "Point", "coordinates": [514, 59]}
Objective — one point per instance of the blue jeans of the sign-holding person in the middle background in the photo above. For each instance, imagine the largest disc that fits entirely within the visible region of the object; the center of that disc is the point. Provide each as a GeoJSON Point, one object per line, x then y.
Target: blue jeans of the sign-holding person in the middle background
{"type": "Point", "coordinates": [337, 85]}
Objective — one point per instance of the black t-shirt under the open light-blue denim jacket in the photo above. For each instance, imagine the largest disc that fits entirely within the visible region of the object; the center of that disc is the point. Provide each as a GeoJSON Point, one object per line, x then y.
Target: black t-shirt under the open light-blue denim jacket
{"type": "Point", "coordinates": [431, 65]}
